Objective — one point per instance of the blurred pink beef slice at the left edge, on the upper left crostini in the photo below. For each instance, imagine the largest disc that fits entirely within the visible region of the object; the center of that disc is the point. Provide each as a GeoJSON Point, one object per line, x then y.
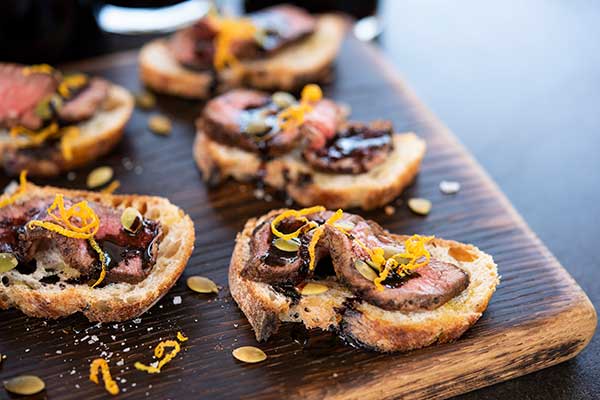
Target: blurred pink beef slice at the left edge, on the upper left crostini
{"type": "Point", "coordinates": [20, 94]}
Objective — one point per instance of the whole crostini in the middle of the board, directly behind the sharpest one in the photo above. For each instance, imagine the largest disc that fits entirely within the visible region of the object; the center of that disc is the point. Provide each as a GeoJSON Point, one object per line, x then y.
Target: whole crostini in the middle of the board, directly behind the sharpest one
{"type": "Point", "coordinates": [306, 148]}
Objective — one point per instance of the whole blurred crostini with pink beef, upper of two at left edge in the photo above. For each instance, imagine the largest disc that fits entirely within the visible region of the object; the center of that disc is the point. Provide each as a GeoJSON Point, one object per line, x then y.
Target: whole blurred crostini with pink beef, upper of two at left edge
{"type": "Point", "coordinates": [52, 122]}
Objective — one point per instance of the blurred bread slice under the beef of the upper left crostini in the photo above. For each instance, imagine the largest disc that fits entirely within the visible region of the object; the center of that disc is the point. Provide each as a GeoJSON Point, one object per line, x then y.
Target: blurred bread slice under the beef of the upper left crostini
{"type": "Point", "coordinates": [98, 136]}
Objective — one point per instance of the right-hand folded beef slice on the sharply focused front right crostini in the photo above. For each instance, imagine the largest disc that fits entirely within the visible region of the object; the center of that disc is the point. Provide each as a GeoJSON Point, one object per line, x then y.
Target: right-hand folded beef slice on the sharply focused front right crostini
{"type": "Point", "coordinates": [427, 288]}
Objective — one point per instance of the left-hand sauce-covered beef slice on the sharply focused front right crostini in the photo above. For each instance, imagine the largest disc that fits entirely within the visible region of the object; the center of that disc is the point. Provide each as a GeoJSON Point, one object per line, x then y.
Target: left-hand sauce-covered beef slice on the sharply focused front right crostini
{"type": "Point", "coordinates": [272, 265]}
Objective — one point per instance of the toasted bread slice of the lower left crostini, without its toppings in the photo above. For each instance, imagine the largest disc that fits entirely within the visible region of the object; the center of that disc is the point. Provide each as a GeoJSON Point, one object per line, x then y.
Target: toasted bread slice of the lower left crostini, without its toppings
{"type": "Point", "coordinates": [115, 301]}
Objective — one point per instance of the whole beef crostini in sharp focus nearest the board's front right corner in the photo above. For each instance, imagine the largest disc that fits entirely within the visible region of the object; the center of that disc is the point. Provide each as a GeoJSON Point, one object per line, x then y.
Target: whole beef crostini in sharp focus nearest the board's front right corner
{"type": "Point", "coordinates": [337, 271]}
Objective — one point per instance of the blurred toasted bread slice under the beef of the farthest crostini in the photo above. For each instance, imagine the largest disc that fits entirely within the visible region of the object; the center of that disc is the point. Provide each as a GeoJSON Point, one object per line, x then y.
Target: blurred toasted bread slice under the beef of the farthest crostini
{"type": "Point", "coordinates": [289, 69]}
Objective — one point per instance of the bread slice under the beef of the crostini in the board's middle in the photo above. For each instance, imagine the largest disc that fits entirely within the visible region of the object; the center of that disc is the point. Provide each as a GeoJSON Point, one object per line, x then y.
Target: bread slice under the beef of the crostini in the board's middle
{"type": "Point", "coordinates": [369, 190]}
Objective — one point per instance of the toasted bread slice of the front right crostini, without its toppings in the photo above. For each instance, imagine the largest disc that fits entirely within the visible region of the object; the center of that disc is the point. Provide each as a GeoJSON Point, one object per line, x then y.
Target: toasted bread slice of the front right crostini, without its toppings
{"type": "Point", "coordinates": [357, 321]}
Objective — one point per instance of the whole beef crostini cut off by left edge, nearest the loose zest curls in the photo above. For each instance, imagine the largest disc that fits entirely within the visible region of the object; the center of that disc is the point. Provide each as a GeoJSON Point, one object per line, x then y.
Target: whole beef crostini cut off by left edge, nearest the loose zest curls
{"type": "Point", "coordinates": [110, 257]}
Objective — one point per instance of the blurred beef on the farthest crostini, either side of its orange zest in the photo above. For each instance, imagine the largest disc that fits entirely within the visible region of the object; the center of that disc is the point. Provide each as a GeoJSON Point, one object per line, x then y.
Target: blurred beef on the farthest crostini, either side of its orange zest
{"type": "Point", "coordinates": [194, 47]}
